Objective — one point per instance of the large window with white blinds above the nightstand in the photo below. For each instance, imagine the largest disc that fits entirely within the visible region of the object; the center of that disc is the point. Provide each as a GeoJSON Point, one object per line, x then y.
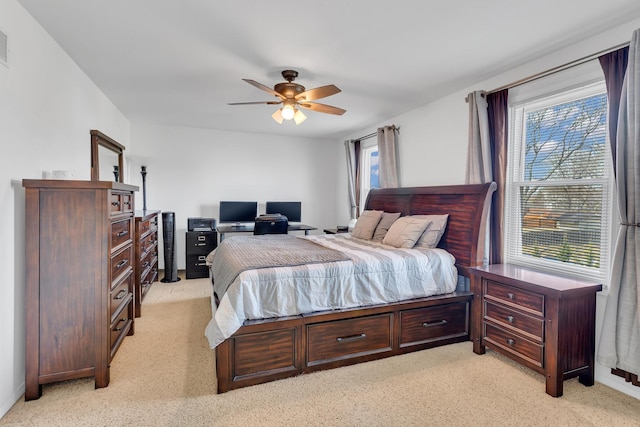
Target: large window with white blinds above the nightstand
{"type": "Point", "coordinates": [558, 208]}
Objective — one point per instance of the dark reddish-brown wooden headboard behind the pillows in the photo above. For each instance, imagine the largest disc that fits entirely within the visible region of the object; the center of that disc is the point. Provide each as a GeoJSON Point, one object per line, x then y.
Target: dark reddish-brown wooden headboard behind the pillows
{"type": "Point", "coordinates": [467, 206]}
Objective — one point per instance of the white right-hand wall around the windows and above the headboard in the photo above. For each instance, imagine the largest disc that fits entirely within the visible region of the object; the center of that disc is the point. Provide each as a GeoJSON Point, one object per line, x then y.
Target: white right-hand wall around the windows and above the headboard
{"type": "Point", "coordinates": [433, 143]}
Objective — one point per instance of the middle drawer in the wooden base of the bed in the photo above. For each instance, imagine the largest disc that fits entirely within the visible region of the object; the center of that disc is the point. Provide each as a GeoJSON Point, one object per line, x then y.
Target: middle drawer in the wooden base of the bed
{"type": "Point", "coordinates": [343, 339]}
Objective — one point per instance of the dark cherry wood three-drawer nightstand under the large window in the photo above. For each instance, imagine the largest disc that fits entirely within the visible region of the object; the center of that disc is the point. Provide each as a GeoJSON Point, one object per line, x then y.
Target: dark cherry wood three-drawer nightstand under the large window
{"type": "Point", "coordinates": [540, 320]}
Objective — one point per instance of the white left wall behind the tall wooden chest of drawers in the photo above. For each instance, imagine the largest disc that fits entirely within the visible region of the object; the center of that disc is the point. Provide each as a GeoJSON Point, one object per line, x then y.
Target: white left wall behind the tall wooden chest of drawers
{"type": "Point", "coordinates": [47, 107]}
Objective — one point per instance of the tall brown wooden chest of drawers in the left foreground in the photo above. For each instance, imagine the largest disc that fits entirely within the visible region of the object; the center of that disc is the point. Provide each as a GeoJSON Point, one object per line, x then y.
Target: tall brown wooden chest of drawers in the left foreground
{"type": "Point", "coordinates": [79, 279]}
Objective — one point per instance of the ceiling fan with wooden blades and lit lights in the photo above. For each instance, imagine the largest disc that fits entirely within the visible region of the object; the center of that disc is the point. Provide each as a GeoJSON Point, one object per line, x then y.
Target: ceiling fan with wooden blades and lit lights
{"type": "Point", "coordinates": [294, 96]}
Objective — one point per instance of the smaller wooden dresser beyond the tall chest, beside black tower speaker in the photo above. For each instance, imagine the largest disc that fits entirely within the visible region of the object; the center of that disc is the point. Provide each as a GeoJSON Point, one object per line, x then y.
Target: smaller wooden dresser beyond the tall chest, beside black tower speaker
{"type": "Point", "coordinates": [146, 255]}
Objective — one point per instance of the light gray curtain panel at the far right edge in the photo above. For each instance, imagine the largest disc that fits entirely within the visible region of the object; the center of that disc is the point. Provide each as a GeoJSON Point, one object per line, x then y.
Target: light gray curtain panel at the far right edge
{"type": "Point", "coordinates": [620, 337]}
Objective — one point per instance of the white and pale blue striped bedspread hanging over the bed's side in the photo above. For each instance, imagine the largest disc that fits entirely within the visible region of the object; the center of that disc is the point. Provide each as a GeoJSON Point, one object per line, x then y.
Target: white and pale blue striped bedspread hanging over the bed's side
{"type": "Point", "coordinates": [375, 274]}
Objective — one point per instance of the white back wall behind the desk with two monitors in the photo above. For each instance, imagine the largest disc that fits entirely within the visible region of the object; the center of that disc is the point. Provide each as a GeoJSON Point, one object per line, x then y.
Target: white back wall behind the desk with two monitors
{"type": "Point", "coordinates": [190, 170]}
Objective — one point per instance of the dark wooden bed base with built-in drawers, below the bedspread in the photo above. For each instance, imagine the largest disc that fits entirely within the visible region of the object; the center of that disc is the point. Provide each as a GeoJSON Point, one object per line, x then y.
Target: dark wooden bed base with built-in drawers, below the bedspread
{"type": "Point", "coordinates": [268, 350]}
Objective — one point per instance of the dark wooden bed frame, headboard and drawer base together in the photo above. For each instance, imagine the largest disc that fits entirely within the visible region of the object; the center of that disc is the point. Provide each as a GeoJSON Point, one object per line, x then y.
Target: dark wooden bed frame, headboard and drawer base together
{"type": "Point", "coordinates": [272, 349]}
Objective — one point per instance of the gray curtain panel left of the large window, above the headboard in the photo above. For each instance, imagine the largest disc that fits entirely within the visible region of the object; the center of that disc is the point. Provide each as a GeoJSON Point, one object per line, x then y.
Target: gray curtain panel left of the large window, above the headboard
{"type": "Point", "coordinates": [479, 148]}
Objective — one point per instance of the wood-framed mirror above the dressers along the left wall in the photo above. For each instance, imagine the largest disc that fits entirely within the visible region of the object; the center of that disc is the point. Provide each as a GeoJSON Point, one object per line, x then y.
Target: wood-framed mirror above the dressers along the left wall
{"type": "Point", "coordinates": [105, 154]}
